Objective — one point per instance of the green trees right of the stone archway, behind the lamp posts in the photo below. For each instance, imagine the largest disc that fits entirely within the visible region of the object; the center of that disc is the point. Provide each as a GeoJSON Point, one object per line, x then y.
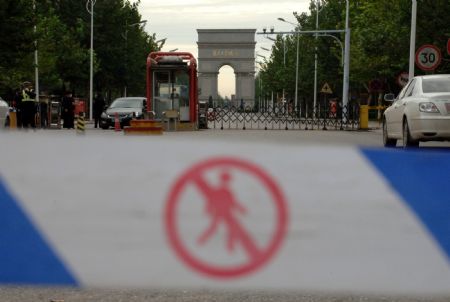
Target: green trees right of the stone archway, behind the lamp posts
{"type": "Point", "coordinates": [380, 35]}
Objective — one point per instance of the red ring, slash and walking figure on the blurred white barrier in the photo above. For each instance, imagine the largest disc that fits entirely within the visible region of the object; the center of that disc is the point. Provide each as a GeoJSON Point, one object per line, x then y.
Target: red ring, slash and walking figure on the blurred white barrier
{"type": "Point", "coordinates": [222, 208]}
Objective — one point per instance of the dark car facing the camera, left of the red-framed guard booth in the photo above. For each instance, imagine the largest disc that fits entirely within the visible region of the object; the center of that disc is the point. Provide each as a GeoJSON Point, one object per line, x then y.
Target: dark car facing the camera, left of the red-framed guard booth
{"type": "Point", "coordinates": [126, 108]}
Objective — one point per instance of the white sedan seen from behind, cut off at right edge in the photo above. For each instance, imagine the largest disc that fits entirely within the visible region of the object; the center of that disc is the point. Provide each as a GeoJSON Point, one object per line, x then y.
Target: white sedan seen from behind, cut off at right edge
{"type": "Point", "coordinates": [421, 112]}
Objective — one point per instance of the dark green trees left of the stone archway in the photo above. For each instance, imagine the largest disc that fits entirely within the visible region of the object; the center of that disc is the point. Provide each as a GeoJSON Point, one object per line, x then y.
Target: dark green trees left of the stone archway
{"type": "Point", "coordinates": [60, 29]}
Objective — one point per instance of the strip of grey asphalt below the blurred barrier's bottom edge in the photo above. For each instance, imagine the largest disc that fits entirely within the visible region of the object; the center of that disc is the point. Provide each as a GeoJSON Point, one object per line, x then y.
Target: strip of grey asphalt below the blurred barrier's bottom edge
{"type": "Point", "coordinates": [12, 294]}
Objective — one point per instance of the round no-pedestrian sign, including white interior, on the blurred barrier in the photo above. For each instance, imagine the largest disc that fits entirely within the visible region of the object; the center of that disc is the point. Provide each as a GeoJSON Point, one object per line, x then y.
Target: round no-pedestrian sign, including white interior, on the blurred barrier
{"type": "Point", "coordinates": [224, 223]}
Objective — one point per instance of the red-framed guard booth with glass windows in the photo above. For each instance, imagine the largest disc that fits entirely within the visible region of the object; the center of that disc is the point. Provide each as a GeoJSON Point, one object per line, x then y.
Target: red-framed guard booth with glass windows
{"type": "Point", "coordinates": [172, 88]}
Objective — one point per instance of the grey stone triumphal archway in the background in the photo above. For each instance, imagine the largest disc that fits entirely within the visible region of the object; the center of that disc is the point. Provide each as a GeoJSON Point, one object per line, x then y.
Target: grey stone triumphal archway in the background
{"type": "Point", "coordinates": [219, 47]}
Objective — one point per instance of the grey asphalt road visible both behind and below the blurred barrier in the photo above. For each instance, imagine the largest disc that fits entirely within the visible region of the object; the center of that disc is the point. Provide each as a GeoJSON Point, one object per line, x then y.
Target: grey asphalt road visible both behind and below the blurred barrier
{"type": "Point", "coordinates": [371, 138]}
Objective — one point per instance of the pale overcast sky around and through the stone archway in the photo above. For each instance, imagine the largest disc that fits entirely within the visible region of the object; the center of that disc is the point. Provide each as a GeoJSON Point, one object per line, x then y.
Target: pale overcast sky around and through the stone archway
{"type": "Point", "coordinates": [179, 20]}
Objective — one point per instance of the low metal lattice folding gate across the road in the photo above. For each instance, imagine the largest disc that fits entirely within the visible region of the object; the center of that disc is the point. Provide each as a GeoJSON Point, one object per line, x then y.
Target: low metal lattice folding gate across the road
{"type": "Point", "coordinates": [282, 117]}
